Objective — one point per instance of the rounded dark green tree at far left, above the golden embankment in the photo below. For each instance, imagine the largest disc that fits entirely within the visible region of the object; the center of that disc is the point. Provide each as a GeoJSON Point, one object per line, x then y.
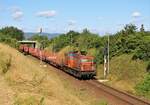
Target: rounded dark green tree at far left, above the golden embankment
{"type": "Point", "coordinates": [12, 32]}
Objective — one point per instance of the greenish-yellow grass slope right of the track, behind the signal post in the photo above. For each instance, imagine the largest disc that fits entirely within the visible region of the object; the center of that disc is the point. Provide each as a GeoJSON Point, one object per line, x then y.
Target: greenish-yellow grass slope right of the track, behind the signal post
{"type": "Point", "coordinates": [124, 72]}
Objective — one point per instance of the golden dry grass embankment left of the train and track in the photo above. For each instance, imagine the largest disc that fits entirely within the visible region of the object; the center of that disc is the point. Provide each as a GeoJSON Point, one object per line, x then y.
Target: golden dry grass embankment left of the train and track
{"type": "Point", "coordinates": [24, 82]}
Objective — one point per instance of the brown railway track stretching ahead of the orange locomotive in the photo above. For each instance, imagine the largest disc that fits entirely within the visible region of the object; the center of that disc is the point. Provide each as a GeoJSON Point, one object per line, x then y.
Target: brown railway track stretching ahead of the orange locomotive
{"type": "Point", "coordinates": [127, 98]}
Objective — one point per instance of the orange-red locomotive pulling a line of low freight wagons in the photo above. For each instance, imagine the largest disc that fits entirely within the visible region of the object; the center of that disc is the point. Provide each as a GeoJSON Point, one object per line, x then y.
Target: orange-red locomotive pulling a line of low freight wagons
{"type": "Point", "coordinates": [74, 63]}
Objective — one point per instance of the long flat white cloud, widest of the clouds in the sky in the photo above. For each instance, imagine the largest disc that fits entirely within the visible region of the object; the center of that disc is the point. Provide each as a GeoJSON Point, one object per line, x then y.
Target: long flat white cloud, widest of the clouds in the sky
{"type": "Point", "coordinates": [47, 14]}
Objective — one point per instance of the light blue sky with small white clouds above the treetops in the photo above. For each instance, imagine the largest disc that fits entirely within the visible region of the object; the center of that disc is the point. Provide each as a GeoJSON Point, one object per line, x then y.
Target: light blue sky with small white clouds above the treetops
{"type": "Point", "coordinates": [59, 16]}
